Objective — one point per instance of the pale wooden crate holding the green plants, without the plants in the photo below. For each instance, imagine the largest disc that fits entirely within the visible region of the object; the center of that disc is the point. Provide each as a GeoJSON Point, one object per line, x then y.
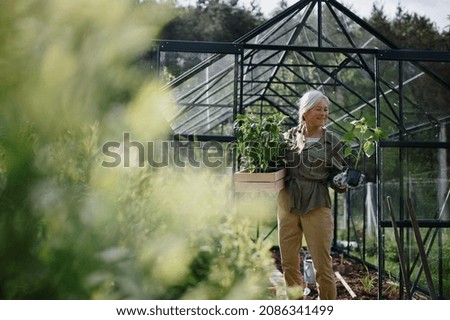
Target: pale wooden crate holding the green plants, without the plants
{"type": "Point", "coordinates": [259, 182]}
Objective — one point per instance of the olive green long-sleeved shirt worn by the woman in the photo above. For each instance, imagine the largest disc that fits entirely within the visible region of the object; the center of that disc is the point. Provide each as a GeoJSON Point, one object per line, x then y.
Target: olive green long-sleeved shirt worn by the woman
{"type": "Point", "coordinates": [311, 170]}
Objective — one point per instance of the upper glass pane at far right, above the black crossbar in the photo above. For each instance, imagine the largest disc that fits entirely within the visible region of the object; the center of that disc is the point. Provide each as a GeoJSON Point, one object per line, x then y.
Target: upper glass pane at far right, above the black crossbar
{"type": "Point", "coordinates": [424, 109]}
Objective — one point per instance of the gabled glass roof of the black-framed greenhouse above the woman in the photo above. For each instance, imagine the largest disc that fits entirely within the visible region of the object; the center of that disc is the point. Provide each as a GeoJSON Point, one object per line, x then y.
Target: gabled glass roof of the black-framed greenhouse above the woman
{"type": "Point", "coordinates": [316, 44]}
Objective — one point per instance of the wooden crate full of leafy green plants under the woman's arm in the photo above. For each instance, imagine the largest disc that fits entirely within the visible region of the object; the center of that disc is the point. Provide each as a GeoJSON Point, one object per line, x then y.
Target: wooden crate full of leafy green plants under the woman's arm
{"type": "Point", "coordinates": [260, 149]}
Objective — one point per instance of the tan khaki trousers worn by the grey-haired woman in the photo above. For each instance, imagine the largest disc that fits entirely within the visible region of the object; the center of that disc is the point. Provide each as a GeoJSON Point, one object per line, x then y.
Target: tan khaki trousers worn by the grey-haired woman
{"type": "Point", "coordinates": [317, 227]}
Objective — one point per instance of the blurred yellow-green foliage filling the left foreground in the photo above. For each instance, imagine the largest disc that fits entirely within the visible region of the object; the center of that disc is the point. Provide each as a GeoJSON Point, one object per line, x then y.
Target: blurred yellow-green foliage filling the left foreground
{"type": "Point", "coordinates": [70, 80]}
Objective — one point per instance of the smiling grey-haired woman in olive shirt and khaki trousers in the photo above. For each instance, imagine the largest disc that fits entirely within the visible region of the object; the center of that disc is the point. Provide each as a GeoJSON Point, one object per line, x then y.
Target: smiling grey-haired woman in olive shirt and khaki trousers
{"type": "Point", "coordinates": [314, 156]}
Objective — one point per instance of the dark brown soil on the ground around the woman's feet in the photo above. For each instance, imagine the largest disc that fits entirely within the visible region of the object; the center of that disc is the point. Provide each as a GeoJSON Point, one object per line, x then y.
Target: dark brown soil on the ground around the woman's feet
{"type": "Point", "coordinates": [362, 282]}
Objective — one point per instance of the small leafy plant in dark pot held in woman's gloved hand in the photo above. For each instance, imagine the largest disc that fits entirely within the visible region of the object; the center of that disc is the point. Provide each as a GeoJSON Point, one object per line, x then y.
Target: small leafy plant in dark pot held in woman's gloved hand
{"type": "Point", "coordinates": [365, 137]}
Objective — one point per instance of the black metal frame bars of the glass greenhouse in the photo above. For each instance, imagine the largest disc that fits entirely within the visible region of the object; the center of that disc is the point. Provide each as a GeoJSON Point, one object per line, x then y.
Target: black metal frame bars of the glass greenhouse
{"type": "Point", "coordinates": [367, 59]}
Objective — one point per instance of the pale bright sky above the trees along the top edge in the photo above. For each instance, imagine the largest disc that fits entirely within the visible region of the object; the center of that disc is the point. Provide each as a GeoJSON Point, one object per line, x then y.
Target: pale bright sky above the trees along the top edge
{"type": "Point", "coordinates": [436, 10]}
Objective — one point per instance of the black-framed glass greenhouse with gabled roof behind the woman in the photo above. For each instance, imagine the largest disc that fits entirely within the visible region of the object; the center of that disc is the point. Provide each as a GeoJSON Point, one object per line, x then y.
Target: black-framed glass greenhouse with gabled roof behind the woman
{"type": "Point", "coordinates": [322, 45]}
